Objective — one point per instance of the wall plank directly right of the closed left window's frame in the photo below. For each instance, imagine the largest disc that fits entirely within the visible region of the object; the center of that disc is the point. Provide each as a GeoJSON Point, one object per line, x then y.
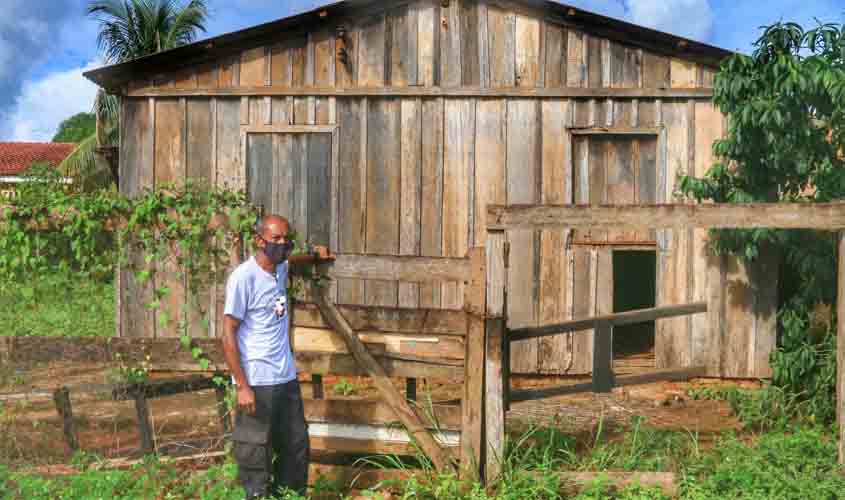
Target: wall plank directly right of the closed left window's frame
{"type": "Point", "coordinates": [352, 122]}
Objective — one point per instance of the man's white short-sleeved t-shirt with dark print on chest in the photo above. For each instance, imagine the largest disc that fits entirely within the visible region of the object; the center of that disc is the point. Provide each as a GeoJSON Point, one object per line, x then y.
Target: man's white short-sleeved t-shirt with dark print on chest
{"type": "Point", "coordinates": [259, 300]}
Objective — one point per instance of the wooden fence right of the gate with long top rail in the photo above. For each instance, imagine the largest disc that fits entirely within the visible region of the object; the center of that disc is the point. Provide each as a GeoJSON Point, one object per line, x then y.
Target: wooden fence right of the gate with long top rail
{"type": "Point", "coordinates": [827, 217]}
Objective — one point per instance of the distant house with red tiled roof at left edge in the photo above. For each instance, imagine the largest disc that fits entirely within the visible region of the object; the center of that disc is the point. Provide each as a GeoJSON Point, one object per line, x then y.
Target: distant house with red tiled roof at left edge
{"type": "Point", "coordinates": [17, 157]}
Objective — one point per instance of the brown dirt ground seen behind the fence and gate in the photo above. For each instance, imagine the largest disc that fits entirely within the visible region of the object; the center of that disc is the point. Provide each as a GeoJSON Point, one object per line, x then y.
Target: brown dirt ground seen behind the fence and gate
{"type": "Point", "coordinates": [31, 431]}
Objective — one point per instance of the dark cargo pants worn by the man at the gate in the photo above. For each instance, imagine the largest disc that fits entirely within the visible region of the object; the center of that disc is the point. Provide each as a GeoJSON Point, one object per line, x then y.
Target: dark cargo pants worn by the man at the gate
{"type": "Point", "coordinates": [271, 447]}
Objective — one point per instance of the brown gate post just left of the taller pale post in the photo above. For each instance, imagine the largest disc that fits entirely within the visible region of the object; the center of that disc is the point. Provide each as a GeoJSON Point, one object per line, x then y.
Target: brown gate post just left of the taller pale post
{"type": "Point", "coordinates": [472, 426]}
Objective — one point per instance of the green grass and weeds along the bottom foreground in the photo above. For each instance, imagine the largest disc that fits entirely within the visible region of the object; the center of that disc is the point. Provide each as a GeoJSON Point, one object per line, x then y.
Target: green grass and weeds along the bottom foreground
{"type": "Point", "coordinates": [796, 464]}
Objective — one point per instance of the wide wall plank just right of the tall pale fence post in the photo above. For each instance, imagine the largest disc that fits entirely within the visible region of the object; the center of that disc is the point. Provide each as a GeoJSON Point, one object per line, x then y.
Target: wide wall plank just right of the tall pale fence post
{"type": "Point", "coordinates": [523, 157]}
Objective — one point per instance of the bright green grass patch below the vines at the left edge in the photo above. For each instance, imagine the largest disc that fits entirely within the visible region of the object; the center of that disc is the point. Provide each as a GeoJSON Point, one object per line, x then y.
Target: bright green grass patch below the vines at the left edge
{"type": "Point", "coordinates": [52, 305]}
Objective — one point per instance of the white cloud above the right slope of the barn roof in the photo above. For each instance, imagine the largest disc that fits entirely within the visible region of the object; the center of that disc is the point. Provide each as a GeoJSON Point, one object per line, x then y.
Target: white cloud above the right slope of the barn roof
{"type": "Point", "coordinates": [688, 18]}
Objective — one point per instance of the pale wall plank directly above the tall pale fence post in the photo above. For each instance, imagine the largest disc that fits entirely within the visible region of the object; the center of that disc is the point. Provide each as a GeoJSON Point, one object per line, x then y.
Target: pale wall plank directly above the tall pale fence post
{"type": "Point", "coordinates": [490, 158]}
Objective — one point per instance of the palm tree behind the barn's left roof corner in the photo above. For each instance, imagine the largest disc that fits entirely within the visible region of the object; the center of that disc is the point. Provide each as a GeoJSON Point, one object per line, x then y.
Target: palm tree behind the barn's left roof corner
{"type": "Point", "coordinates": [129, 29]}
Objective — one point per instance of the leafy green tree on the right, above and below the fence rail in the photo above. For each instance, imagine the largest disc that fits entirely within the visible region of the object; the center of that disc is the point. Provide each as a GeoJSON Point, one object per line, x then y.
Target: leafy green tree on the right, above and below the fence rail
{"type": "Point", "coordinates": [786, 111]}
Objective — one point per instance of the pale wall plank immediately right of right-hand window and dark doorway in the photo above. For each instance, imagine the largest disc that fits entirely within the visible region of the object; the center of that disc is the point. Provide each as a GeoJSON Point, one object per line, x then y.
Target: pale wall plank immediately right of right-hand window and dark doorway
{"type": "Point", "coordinates": [672, 336]}
